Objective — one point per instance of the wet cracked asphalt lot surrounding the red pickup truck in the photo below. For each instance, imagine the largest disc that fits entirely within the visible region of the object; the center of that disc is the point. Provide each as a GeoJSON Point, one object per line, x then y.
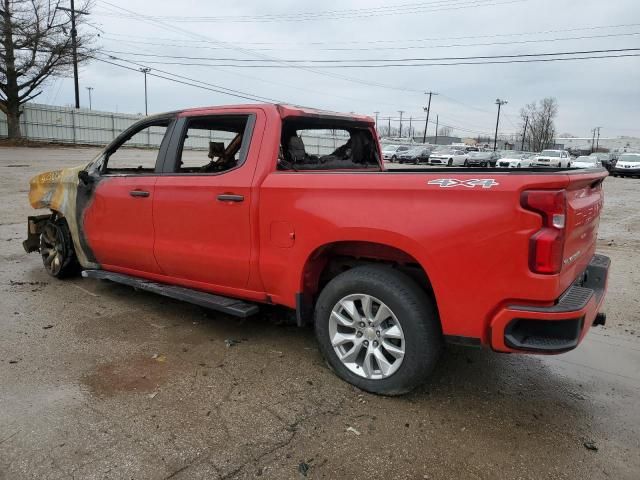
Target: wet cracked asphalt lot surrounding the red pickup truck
{"type": "Point", "coordinates": [100, 381]}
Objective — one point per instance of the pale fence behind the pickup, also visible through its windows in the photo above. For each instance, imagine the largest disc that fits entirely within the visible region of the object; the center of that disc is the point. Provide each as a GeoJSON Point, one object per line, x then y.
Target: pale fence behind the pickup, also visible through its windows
{"type": "Point", "coordinates": [50, 123]}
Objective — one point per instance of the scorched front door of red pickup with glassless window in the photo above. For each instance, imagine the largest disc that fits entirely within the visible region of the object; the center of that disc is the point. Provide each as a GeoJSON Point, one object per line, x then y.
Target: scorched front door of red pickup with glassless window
{"type": "Point", "coordinates": [118, 219]}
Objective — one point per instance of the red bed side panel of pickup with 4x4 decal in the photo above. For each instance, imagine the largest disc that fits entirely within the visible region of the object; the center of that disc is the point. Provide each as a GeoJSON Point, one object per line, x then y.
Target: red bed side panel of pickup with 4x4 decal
{"type": "Point", "coordinates": [472, 242]}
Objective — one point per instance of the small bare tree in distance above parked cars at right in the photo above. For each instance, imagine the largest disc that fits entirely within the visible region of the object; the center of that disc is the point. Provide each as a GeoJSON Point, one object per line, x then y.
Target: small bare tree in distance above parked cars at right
{"type": "Point", "coordinates": [540, 117]}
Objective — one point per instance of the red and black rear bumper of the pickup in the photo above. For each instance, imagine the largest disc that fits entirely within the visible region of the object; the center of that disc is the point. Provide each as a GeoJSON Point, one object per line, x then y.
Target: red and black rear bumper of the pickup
{"type": "Point", "coordinates": [557, 328]}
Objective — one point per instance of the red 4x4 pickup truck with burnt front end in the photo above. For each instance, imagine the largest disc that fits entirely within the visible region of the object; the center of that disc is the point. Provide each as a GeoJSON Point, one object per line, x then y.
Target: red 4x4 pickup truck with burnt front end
{"type": "Point", "coordinates": [231, 210]}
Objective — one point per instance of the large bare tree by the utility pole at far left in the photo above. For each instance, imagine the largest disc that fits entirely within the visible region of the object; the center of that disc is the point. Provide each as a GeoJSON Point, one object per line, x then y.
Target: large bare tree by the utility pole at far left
{"type": "Point", "coordinates": [36, 45]}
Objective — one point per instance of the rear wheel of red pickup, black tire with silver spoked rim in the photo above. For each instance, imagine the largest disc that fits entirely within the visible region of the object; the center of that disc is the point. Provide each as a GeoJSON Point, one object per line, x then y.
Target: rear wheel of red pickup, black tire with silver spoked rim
{"type": "Point", "coordinates": [419, 334]}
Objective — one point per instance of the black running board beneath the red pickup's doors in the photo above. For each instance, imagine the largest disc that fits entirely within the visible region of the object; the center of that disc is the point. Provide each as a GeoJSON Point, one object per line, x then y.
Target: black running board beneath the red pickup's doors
{"type": "Point", "coordinates": [219, 303]}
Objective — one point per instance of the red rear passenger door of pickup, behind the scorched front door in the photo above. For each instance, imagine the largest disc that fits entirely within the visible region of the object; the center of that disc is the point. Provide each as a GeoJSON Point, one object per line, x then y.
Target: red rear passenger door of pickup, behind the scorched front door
{"type": "Point", "coordinates": [202, 201]}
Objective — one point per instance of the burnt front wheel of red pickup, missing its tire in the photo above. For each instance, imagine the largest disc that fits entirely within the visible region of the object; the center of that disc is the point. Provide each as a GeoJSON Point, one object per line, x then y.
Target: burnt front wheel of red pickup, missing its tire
{"type": "Point", "coordinates": [56, 248]}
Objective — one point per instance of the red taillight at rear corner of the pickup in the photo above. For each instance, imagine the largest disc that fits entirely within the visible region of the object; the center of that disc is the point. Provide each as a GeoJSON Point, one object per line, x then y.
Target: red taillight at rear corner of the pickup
{"type": "Point", "coordinates": [547, 244]}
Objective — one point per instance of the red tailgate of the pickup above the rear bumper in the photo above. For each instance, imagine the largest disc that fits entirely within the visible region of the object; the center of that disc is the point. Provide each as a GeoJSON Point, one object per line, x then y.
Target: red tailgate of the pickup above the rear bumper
{"type": "Point", "coordinates": [584, 203]}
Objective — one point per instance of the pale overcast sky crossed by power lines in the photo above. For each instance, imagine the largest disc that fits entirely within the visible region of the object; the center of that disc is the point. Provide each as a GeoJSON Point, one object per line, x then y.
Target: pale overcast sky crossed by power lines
{"type": "Point", "coordinates": [604, 92]}
